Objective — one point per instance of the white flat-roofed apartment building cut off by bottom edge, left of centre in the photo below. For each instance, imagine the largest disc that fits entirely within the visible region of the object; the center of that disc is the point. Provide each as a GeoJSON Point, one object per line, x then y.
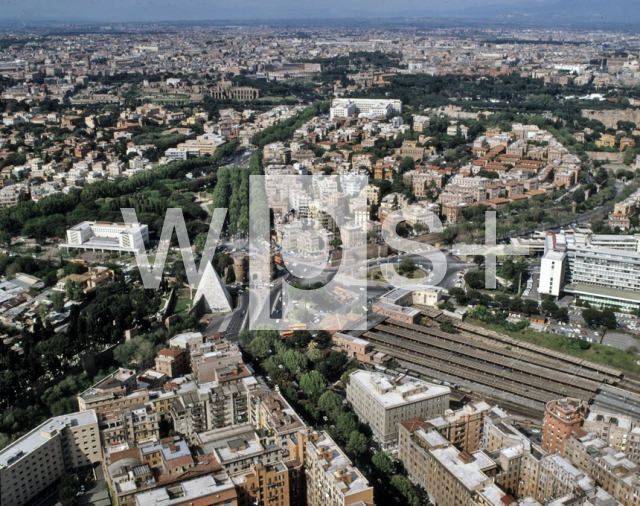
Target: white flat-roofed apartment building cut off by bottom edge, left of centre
{"type": "Point", "coordinates": [209, 490]}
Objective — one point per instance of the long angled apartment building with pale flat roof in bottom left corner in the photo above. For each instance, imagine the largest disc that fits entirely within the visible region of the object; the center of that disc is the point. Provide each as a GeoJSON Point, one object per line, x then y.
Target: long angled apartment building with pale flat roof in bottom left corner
{"type": "Point", "coordinates": [36, 461]}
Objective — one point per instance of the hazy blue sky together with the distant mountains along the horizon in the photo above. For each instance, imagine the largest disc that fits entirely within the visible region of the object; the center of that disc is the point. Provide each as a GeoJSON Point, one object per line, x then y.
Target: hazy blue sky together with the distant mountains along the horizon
{"type": "Point", "coordinates": [563, 12]}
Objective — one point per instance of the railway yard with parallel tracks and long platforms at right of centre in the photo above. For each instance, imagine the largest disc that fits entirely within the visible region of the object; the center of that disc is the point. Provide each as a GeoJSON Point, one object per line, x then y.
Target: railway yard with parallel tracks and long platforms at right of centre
{"type": "Point", "coordinates": [499, 368]}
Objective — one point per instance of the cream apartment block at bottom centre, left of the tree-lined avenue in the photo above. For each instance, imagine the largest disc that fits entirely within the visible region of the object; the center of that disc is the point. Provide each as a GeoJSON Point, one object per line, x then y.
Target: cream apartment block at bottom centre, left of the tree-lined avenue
{"type": "Point", "coordinates": [331, 478]}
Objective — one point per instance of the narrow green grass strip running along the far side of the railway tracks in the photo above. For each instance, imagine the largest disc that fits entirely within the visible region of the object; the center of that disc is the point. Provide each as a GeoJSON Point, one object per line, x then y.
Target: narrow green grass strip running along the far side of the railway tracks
{"type": "Point", "coordinates": [597, 353]}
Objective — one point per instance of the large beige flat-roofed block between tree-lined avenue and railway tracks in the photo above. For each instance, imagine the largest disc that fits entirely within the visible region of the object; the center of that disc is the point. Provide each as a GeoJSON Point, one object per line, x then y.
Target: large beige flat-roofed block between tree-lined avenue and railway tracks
{"type": "Point", "coordinates": [383, 401]}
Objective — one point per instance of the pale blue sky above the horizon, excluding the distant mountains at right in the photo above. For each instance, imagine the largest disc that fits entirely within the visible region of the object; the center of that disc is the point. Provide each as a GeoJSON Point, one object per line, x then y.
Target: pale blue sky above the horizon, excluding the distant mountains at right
{"type": "Point", "coordinates": [167, 10]}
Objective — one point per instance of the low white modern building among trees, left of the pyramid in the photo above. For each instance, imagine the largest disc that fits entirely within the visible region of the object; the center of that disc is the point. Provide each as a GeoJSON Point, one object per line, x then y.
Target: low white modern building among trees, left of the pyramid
{"type": "Point", "coordinates": [105, 236]}
